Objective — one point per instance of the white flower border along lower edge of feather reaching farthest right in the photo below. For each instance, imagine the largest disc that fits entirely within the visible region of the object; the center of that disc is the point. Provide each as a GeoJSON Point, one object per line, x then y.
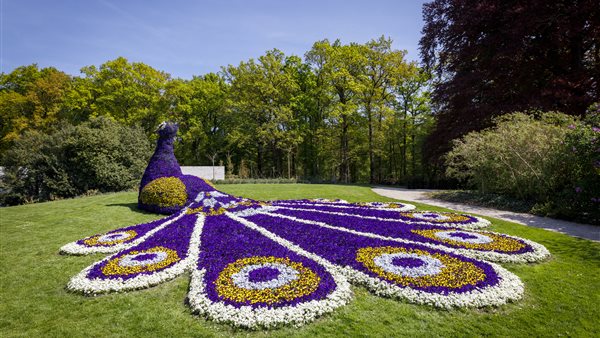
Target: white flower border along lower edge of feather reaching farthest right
{"type": "Point", "coordinates": [539, 251]}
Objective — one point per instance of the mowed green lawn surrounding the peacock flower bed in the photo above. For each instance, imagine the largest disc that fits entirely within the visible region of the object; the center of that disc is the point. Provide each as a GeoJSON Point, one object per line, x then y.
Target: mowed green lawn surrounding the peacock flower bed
{"type": "Point", "coordinates": [562, 294]}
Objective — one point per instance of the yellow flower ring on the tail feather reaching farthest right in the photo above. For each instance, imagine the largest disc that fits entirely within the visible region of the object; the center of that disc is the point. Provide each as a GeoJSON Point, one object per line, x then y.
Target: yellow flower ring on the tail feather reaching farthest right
{"type": "Point", "coordinates": [498, 243]}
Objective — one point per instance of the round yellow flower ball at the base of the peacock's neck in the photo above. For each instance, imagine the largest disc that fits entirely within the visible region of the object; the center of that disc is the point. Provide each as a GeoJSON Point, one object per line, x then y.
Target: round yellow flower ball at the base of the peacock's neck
{"type": "Point", "coordinates": [164, 192]}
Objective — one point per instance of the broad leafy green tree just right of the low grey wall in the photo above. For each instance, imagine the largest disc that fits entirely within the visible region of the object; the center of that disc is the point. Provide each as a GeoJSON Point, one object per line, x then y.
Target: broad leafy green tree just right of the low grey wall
{"type": "Point", "coordinates": [261, 94]}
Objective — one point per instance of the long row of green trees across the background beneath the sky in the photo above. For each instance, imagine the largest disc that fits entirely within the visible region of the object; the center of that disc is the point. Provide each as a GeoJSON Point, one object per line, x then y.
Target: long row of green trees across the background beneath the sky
{"type": "Point", "coordinates": [343, 113]}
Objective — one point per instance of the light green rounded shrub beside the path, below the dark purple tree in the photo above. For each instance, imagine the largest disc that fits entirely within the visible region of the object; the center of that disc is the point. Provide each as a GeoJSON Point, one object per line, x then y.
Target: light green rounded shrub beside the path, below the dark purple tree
{"type": "Point", "coordinates": [516, 157]}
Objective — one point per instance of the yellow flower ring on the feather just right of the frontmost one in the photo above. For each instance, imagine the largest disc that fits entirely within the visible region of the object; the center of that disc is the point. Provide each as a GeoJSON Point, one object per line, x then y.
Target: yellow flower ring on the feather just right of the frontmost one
{"type": "Point", "coordinates": [453, 273]}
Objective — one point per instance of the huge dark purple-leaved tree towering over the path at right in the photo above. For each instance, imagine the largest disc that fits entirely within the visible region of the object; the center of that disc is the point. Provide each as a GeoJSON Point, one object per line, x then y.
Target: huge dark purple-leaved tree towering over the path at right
{"type": "Point", "coordinates": [494, 57]}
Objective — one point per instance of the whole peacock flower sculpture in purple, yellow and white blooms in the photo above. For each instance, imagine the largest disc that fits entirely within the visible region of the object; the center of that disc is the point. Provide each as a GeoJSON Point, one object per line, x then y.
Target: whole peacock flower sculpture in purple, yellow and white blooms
{"type": "Point", "coordinates": [260, 264]}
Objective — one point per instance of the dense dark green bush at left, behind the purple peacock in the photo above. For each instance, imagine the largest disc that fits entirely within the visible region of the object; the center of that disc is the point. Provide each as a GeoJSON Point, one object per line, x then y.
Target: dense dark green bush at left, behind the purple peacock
{"type": "Point", "coordinates": [99, 155]}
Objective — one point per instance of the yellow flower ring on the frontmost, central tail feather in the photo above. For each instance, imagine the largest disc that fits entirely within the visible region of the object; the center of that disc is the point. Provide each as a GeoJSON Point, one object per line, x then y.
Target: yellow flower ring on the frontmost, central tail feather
{"type": "Point", "coordinates": [303, 283]}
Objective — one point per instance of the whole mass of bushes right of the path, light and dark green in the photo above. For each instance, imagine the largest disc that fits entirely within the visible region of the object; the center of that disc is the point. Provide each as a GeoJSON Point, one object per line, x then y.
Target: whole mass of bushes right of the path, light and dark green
{"type": "Point", "coordinates": [549, 158]}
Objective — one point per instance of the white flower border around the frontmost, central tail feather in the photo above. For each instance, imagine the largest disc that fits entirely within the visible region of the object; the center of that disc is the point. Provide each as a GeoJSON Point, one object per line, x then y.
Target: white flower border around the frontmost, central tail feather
{"type": "Point", "coordinates": [266, 317]}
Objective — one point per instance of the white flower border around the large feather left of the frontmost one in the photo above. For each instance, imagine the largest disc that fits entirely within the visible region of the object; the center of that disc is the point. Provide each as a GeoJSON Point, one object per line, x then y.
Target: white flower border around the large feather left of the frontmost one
{"type": "Point", "coordinates": [81, 283]}
